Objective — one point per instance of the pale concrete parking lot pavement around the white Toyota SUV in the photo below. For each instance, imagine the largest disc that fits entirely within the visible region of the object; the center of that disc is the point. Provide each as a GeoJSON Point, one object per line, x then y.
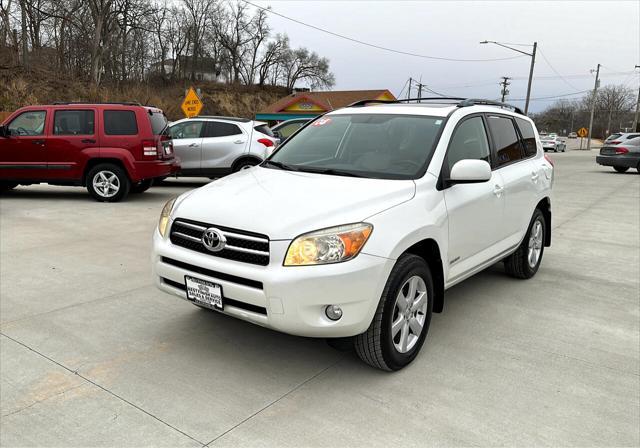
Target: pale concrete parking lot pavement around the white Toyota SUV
{"type": "Point", "coordinates": [92, 354]}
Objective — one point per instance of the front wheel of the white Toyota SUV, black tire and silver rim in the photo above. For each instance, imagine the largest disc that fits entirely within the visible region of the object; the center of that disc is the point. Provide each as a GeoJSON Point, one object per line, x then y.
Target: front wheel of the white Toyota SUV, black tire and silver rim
{"type": "Point", "coordinates": [379, 346]}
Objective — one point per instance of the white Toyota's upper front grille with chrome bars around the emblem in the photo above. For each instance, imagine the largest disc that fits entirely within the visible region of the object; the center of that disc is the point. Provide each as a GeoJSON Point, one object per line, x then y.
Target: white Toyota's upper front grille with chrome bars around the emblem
{"type": "Point", "coordinates": [246, 247]}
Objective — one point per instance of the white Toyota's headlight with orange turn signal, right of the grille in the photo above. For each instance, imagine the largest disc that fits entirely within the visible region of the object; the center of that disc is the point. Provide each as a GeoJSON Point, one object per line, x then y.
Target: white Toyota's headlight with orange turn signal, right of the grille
{"type": "Point", "coordinates": [331, 245]}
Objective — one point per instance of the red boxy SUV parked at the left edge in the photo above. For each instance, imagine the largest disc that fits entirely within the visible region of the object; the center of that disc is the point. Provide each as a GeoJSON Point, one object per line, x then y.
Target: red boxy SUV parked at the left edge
{"type": "Point", "coordinates": [111, 148]}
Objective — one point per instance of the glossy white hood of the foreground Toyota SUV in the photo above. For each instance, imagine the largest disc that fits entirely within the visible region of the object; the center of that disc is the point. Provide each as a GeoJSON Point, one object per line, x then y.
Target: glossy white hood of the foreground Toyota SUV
{"type": "Point", "coordinates": [284, 204]}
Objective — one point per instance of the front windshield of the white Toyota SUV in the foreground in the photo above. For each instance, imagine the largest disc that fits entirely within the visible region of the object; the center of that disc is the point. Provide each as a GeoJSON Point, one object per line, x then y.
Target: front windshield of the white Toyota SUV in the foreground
{"type": "Point", "coordinates": [364, 145]}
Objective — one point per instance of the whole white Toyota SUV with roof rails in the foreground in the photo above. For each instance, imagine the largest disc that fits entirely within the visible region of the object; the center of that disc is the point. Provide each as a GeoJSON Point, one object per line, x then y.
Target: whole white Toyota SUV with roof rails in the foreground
{"type": "Point", "coordinates": [357, 225]}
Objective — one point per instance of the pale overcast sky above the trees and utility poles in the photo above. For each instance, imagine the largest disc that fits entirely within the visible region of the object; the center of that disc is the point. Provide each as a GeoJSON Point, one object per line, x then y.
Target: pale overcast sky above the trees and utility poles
{"type": "Point", "coordinates": [572, 36]}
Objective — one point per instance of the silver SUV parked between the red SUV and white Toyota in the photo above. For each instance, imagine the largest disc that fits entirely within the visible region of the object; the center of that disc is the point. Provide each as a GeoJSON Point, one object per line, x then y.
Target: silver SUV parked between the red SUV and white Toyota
{"type": "Point", "coordinates": [211, 146]}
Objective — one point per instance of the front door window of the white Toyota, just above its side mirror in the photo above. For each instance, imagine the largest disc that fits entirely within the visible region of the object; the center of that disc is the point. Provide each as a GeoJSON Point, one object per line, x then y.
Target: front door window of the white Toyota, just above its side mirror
{"type": "Point", "coordinates": [469, 141]}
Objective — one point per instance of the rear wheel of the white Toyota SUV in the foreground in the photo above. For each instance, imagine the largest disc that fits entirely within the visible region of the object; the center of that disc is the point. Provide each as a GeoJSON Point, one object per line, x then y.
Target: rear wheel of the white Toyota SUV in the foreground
{"type": "Point", "coordinates": [519, 264]}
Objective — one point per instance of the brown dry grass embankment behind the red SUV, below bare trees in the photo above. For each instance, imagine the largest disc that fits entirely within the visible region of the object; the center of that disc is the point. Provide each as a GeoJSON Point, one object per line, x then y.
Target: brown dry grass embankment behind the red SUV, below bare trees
{"type": "Point", "coordinates": [19, 88]}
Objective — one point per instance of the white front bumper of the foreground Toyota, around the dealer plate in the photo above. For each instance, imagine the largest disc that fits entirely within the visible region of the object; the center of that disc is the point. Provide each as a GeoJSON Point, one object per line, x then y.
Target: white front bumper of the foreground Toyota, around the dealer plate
{"type": "Point", "coordinates": [287, 299]}
